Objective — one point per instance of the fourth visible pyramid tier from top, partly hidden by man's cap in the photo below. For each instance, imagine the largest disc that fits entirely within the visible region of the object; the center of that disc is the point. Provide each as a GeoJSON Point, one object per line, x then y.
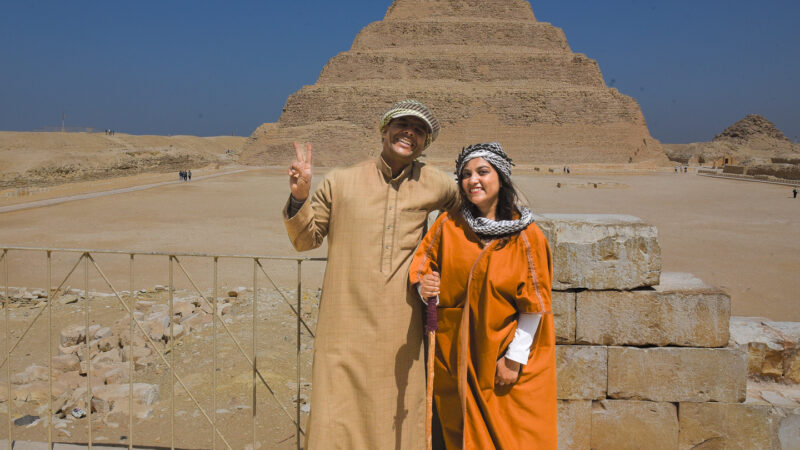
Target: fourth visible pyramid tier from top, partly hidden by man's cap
{"type": "Point", "coordinates": [520, 104]}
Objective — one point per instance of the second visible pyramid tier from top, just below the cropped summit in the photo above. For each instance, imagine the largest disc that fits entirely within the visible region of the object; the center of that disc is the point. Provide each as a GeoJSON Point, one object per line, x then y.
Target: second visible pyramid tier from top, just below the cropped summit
{"type": "Point", "coordinates": [538, 35]}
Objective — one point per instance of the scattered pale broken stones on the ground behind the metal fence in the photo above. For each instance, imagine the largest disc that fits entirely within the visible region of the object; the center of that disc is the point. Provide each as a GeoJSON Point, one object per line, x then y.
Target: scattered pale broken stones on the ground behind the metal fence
{"type": "Point", "coordinates": [110, 350]}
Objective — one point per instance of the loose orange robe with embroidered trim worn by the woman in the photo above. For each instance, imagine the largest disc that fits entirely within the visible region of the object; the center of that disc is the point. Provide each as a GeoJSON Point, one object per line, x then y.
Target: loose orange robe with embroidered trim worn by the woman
{"type": "Point", "coordinates": [497, 284]}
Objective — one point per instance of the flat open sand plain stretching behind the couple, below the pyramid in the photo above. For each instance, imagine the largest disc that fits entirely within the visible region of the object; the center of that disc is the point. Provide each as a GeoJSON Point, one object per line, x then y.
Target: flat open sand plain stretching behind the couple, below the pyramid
{"type": "Point", "coordinates": [741, 236]}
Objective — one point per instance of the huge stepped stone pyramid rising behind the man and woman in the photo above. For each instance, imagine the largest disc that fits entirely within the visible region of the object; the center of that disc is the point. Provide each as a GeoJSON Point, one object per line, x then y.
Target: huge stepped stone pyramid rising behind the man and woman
{"type": "Point", "coordinates": [488, 69]}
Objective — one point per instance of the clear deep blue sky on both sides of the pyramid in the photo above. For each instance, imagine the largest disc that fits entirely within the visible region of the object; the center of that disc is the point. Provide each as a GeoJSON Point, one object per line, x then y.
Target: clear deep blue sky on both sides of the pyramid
{"type": "Point", "coordinates": [215, 68]}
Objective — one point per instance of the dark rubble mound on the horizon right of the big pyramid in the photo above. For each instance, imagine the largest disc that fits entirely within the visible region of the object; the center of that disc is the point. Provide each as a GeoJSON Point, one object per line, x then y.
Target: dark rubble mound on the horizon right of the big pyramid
{"type": "Point", "coordinates": [751, 141]}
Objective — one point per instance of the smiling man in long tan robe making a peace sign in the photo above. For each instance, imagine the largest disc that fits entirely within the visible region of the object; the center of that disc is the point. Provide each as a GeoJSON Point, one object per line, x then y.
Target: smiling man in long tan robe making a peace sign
{"type": "Point", "coordinates": [368, 379]}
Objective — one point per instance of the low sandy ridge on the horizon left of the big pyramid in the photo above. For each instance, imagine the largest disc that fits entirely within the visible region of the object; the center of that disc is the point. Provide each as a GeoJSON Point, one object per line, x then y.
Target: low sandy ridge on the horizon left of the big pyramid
{"type": "Point", "coordinates": [46, 158]}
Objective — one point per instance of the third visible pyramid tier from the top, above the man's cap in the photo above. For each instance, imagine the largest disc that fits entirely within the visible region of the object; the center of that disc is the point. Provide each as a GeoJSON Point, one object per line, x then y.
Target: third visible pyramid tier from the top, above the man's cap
{"type": "Point", "coordinates": [567, 68]}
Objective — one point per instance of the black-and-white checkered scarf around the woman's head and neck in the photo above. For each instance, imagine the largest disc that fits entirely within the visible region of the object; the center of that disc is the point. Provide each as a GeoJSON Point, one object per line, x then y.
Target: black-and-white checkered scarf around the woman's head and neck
{"type": "Point", "coordinates": [483, 227]}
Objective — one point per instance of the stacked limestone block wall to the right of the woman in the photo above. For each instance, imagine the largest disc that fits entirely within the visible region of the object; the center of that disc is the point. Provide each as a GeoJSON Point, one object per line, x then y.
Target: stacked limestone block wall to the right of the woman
{"type": "Point", "coordinates": [654, 360]}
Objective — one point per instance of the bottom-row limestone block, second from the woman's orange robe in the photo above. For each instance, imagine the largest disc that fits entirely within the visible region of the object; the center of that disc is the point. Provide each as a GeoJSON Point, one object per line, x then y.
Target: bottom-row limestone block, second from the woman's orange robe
{"type": "Point", "coordinates": [630, 424]}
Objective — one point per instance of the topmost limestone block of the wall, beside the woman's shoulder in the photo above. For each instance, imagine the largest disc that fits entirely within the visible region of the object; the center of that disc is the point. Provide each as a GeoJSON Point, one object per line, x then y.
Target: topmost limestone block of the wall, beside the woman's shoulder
{"type": "Point", "coordinates": [602, 251]}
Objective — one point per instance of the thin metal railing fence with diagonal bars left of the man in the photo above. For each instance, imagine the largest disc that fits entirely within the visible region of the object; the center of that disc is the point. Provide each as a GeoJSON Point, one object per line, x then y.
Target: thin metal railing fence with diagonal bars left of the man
{"type": "Point", "coordinates": [84, 261]}
